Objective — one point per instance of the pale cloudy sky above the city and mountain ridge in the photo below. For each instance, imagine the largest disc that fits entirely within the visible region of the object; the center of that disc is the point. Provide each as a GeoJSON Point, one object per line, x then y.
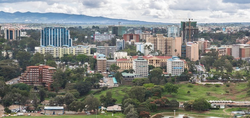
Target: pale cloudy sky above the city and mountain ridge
{"type": "Point", "coordinates": [145, 10]}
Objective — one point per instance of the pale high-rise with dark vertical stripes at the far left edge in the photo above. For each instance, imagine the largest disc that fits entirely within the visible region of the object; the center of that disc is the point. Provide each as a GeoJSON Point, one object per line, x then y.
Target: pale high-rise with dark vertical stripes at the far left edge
{"type": "Point", "coordinates": [12, 34]}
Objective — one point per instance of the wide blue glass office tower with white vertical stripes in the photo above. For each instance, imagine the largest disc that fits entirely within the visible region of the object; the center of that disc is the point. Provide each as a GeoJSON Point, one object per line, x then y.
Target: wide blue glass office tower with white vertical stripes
{"type": "Point", "coordinates": [55, 36]}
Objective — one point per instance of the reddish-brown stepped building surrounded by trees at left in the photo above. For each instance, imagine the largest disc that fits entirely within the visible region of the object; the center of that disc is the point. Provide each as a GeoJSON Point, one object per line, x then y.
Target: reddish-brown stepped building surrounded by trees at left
{"type": "Point", "coordinates": [38, 75]}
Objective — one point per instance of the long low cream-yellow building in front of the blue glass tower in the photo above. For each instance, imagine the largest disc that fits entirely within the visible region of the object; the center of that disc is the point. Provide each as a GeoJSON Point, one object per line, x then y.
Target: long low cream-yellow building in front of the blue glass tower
{"type": "Point", "coordinates": [59, 52]}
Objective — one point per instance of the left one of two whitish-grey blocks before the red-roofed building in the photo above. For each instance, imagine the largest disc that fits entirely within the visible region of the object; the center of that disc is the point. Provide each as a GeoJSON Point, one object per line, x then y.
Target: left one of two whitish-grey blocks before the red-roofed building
{"type": "Point", "coordinates": [140, 67]}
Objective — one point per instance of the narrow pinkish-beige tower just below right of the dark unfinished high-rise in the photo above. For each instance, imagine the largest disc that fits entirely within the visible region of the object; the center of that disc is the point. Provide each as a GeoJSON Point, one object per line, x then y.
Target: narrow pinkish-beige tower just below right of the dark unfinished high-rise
{"type": "Point", "coordinates": [192, 51]}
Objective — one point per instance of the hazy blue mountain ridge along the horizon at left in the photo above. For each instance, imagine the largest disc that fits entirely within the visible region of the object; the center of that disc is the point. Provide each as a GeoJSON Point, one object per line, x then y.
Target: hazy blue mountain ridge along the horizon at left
{"type": "Point", "coordinates": [31, 17]}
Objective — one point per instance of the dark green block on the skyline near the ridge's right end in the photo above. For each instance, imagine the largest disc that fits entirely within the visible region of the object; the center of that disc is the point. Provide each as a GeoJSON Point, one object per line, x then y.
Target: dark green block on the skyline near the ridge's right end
{"type": "Point", "coordinates": [117, 30]}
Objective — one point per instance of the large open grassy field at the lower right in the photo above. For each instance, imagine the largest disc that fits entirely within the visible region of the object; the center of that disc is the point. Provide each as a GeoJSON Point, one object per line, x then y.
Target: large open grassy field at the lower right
{"type": "Point", "coordinates": [236, 91]}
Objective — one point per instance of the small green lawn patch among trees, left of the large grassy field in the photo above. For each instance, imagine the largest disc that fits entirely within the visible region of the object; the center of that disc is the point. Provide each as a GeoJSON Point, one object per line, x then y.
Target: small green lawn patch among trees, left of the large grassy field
{"type": "Point", "coordinates": [117, 92]}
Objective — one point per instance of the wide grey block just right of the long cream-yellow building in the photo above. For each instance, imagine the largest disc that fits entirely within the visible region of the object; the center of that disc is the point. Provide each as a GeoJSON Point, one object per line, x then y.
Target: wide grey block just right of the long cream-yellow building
{"type": "Point", "coordinates": [106, 50]}
